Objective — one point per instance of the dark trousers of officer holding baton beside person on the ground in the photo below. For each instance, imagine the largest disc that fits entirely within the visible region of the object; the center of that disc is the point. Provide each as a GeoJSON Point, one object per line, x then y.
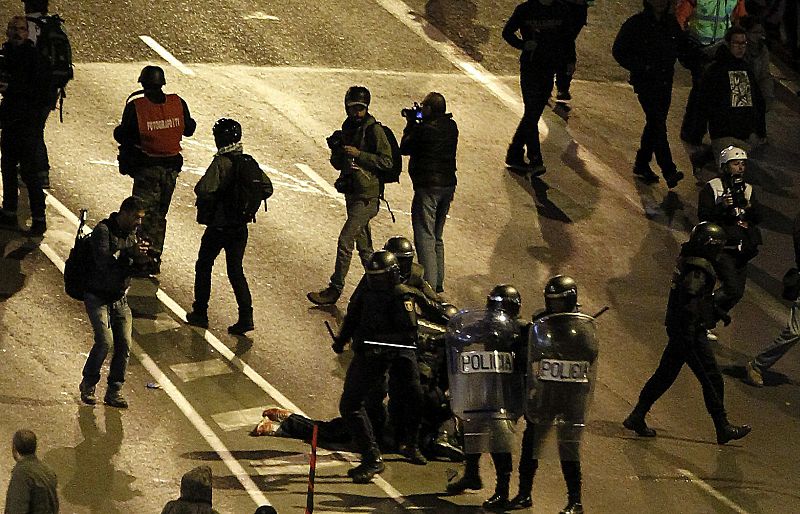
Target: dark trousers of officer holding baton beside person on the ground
{"type": "Point", "coordinates": [367, 372]}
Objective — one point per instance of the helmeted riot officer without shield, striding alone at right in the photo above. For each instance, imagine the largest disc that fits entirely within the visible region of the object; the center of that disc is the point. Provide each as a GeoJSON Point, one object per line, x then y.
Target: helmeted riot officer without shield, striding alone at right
{"type": "Point", "coordinates": [690, 312]}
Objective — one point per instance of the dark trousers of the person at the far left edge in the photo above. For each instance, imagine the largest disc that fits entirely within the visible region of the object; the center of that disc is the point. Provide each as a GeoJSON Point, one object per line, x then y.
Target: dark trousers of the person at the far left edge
{"type": "Point", "coordinates": [23, 152]}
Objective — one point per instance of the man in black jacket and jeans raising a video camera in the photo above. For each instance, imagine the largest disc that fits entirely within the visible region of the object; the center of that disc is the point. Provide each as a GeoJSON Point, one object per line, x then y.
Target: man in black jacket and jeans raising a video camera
{"type": "Point", "coordinates": [430, 140]}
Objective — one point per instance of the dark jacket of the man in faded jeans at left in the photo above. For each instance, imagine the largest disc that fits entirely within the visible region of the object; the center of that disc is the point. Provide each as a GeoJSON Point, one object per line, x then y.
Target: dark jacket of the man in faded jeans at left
{"type": "Point", "coordinates": [113, 251]}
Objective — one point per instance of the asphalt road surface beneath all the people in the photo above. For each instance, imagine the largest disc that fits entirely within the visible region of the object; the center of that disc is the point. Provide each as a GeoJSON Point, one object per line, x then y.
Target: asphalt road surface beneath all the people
{"type": "Point", "coordinates": [281, 69]}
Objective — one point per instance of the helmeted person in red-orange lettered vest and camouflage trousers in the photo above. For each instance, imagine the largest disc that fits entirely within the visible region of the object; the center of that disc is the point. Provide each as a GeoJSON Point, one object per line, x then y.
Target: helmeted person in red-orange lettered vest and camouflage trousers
{"type": "Point", "coordinates": [149, 135]}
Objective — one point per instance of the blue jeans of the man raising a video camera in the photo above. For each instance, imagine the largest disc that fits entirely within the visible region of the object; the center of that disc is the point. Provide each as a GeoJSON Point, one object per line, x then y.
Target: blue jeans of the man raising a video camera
{"type": "Point", "coordinates": [429, 210]}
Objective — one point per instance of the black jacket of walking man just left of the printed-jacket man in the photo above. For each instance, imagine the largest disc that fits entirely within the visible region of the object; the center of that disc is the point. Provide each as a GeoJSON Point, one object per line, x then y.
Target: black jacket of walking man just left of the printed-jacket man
{"type": "Point", "coordinates": [648, 46]}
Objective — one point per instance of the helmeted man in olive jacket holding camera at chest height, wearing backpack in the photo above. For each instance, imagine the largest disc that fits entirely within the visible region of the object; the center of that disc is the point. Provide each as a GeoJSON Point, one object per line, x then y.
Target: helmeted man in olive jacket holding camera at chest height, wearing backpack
{"type": "Point", "coordinates": [360, 151]}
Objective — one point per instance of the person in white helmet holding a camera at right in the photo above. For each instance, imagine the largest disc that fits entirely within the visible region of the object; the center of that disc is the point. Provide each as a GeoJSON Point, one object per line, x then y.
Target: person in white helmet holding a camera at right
{"type": "Point", "coordinates": [730, 202]}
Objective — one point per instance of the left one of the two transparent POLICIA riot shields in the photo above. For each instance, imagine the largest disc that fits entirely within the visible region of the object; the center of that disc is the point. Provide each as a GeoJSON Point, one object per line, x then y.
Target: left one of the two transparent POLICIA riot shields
{"type": "Point", "coordinates": [486, 372]}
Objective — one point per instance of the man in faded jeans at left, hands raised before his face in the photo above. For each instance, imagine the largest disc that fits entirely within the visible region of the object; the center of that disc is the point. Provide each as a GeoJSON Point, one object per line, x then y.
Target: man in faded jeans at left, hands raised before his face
{"type": "Point", "coordinates": [116, 251]}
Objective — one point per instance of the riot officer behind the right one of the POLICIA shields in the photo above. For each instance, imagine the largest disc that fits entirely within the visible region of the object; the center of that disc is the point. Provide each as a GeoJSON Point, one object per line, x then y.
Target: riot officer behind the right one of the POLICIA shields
{"type": "Point", "coordinates": [560, 334]}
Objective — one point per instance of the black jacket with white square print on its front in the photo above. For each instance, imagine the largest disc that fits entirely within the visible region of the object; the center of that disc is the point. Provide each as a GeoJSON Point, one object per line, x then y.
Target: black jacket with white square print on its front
{"type": "Point", "coordinates": [731, 103]}
